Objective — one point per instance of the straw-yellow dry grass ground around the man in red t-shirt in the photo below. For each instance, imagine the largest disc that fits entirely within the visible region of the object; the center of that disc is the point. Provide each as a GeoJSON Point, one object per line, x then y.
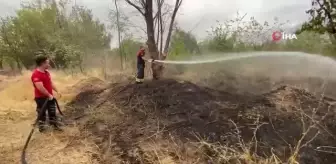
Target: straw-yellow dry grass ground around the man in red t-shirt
{"type": "Point", "coordinates": [17, 114]}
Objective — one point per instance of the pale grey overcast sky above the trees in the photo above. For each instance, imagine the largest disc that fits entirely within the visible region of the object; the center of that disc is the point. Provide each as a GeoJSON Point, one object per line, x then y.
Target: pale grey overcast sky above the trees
{"type": "Point", "coordinates": [198, 16]}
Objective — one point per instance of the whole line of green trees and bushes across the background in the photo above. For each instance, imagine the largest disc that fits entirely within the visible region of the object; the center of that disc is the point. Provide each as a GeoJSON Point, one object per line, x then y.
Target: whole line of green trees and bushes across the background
{"type": "Point", "coordinates": [69, 33]}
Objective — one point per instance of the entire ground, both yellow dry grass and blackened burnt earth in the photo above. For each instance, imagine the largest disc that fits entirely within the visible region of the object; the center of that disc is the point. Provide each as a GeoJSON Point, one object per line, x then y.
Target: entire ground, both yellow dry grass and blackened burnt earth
{"type": "Point", "coordinates": [219, 117]}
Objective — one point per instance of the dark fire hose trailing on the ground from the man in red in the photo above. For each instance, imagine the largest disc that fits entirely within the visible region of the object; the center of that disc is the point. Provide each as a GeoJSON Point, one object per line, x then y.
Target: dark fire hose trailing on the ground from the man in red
{"type": "Point", "coordinates": [40, 112]}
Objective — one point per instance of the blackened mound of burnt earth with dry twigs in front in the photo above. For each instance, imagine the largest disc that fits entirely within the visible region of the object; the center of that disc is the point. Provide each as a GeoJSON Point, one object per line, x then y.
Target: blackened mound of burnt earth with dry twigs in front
{"type": "Point", "coordinates": [126, 119]}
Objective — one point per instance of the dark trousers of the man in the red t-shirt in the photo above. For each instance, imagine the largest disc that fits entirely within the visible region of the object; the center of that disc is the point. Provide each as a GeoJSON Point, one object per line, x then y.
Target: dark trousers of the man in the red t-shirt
{"type": "Point", "coordinates": [50, 108]}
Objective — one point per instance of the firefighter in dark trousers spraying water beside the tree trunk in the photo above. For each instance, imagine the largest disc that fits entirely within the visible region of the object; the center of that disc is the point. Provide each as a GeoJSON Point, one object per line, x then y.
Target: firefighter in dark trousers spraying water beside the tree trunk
{"type": "Point", "coordinates": [141, 65]}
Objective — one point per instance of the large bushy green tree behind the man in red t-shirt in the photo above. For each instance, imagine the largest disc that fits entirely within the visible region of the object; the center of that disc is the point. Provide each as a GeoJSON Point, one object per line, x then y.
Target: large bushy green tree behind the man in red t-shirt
{"type": "Point", "coordinates": [65, 33]}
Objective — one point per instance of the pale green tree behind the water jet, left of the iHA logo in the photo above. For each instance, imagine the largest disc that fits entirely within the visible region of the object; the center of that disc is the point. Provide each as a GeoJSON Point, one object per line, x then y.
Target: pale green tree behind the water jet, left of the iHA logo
{"type": "Point", "coordinates": [241, 35]}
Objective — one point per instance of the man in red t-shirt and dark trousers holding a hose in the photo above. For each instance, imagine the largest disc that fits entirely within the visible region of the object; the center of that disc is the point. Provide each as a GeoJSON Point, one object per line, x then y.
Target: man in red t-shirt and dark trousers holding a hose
{"type": "Point", "coordinates": [43, 89]}
